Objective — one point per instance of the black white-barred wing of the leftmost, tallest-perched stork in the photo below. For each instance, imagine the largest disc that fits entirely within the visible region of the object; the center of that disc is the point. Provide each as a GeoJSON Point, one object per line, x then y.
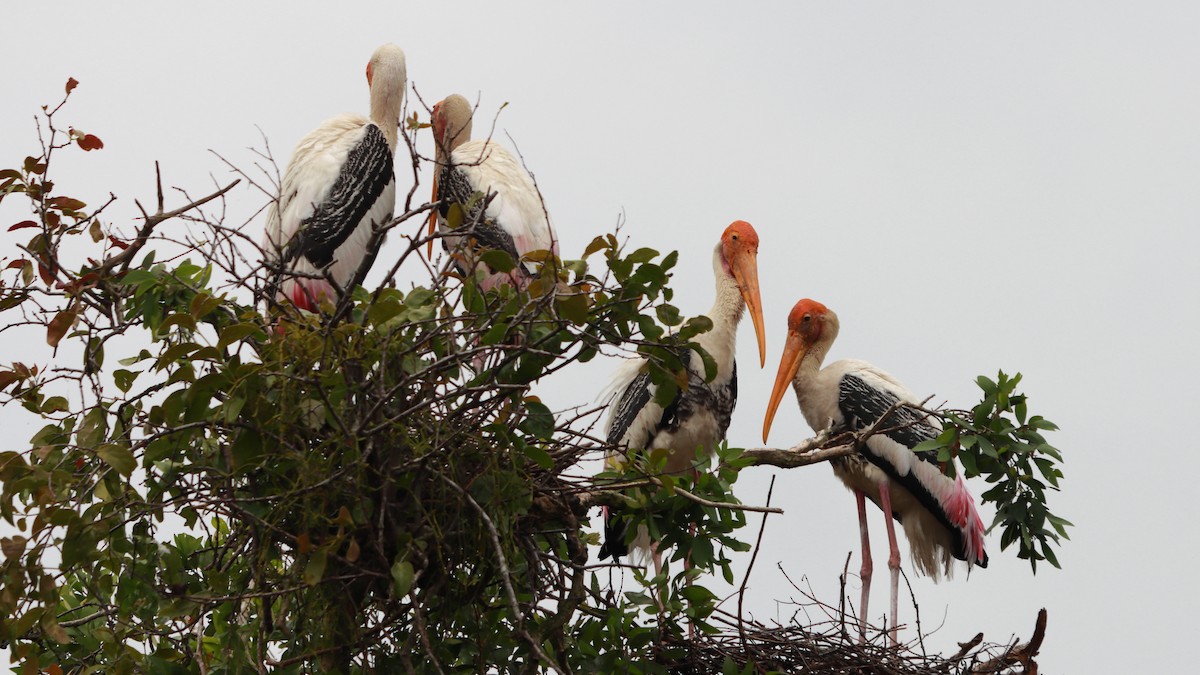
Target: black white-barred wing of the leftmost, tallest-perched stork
{"type": "Point", "coordinates": [367, 172]}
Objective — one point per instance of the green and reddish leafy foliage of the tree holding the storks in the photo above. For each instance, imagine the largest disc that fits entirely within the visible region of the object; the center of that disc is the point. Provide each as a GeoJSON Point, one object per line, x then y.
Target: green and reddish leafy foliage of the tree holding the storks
{"type": "Point", "coordinates": [223, 485]}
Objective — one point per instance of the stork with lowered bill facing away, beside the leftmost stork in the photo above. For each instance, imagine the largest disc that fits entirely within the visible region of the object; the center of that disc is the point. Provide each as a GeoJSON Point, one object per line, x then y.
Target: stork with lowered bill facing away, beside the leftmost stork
{"type": "Point", "coordinates": [511, 217]}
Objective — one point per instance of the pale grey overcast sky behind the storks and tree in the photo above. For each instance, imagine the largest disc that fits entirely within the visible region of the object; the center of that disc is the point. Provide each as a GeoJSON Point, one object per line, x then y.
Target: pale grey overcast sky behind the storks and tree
{"type": "Point", "coordinates": [970, 188]}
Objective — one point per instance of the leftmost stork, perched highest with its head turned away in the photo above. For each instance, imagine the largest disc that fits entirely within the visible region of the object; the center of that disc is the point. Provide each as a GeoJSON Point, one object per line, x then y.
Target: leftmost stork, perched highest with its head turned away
{"type": "Point", "coordinates": [339, 186]}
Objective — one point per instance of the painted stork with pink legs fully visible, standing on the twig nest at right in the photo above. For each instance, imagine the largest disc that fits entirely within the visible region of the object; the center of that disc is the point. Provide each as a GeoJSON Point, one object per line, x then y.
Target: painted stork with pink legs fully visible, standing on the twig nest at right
{"type": "Point", "coordinates": [938, 512]}
